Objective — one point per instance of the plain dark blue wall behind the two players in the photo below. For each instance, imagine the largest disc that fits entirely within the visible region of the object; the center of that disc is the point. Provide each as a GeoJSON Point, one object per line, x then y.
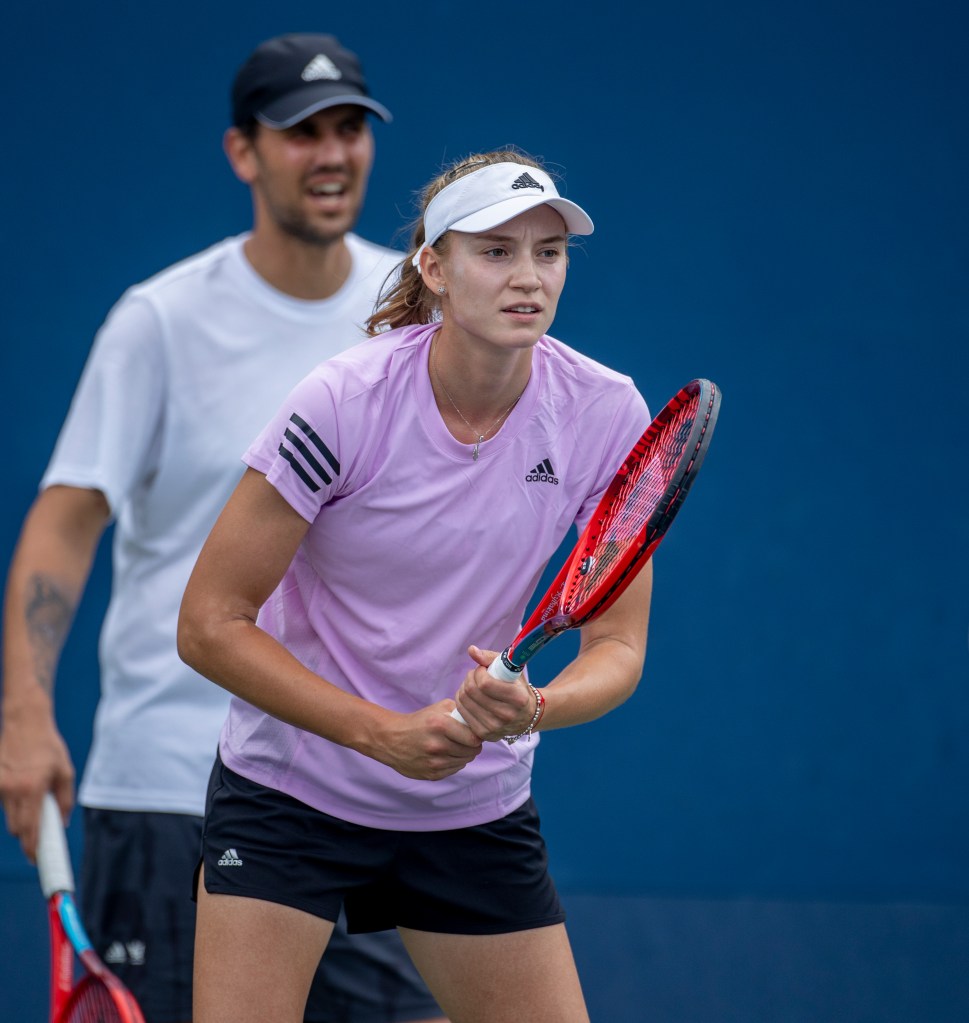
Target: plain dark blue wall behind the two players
{"type": "Point", "coordinates": [775, 828]}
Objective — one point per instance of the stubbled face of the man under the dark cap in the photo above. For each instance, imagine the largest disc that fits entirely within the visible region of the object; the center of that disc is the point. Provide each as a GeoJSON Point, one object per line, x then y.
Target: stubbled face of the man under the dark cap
{"type": "Point", "coordinates": [310, 182]}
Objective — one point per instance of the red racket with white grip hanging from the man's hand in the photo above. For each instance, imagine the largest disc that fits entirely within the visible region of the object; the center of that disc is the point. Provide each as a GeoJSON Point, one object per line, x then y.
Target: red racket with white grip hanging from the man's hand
{"type": "Point", "coordinates": [99, 997]}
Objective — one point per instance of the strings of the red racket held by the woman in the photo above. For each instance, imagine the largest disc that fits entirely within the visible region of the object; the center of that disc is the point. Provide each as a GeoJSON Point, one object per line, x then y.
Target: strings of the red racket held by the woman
{"type": "Point", "coordinates": [642, 498]}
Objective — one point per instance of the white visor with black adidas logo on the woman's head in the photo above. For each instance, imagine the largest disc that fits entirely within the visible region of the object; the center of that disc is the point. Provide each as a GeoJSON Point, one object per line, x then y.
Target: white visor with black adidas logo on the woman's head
{"type": "Point", "coordinates": [494, 196]}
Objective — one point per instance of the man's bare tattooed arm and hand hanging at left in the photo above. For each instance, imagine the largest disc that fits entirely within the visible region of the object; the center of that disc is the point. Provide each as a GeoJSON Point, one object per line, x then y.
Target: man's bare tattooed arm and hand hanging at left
{"type": "Point", "coordinates": [48, 577]}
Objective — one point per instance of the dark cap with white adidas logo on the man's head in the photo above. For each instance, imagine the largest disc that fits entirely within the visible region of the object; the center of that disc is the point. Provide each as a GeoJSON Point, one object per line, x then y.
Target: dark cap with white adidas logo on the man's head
{"type": "Point", "coordinates": [289, 78]}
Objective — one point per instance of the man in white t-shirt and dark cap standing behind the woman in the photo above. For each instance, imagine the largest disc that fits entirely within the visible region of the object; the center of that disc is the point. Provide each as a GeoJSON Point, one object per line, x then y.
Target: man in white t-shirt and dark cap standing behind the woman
{"type": "Point", "coordinates": [187, 370]}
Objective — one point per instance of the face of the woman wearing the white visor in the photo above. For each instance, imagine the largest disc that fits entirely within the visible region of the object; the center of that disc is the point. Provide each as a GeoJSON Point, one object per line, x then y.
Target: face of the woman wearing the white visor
{"type": "Point", "coordinates": [504, 286]}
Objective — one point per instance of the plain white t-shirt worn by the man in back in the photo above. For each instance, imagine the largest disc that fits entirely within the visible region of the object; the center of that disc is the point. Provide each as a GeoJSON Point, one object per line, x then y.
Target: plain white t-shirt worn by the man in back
{"type": "Point", "coordinates": [187, 370]}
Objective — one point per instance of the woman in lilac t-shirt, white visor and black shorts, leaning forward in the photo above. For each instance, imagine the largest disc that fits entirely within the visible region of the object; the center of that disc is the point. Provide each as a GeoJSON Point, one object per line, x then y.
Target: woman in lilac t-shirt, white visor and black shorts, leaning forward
{"type": "Point", "coordinates": [392, 524]}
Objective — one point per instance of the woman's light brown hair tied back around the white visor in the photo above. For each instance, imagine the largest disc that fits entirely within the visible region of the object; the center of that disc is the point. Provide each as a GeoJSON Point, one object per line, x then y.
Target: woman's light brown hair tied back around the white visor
{"type": "Point", "coordinates": [406, 300]}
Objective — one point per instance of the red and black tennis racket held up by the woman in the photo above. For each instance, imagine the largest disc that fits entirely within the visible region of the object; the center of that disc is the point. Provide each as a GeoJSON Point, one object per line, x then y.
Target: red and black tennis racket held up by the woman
{"type": "Point", "coordinates": [627, 527]}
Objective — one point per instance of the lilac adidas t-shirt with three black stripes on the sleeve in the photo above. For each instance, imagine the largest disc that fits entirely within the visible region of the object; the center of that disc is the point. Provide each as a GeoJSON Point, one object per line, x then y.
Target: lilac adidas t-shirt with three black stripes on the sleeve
{"type": "Point", "coordinates": [415, 551]}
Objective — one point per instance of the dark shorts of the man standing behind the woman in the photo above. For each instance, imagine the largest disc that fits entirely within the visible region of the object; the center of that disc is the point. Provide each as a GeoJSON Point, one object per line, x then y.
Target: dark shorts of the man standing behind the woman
{"type": "Point", "coordinates": [136, 894]}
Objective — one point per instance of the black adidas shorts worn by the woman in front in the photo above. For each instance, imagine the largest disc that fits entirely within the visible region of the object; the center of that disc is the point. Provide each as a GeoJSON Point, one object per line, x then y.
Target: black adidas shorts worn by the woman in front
{"type": "Point", "coordinates": [492, 879]}
